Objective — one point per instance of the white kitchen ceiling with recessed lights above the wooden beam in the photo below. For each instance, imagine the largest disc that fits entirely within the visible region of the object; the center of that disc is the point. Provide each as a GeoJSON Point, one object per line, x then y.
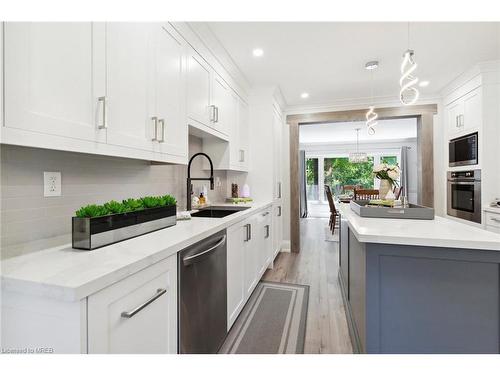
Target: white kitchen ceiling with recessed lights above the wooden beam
{"type": "Point", "coordinates": [327, 59]}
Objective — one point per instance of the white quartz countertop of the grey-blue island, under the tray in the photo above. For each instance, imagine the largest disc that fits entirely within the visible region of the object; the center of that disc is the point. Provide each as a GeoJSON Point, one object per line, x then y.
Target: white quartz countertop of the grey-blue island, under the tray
{"type": "Point", "coordinates": [440, 232]}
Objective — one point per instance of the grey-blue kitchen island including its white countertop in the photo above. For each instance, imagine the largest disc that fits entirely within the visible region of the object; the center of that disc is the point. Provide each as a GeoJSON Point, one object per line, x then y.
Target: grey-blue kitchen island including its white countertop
{"type": "Point", "coordinates": [419, 286]}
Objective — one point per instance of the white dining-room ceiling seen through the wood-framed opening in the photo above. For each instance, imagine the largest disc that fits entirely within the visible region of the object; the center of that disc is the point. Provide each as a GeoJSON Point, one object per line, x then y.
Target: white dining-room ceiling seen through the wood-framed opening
{"type": "Point", "coordinates": [345, 132]}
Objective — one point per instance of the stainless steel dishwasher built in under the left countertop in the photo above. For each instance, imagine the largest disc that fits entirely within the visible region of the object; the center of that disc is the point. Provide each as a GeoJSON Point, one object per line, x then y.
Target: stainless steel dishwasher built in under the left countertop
{"type": "Point", "coordinates": [203, 295]}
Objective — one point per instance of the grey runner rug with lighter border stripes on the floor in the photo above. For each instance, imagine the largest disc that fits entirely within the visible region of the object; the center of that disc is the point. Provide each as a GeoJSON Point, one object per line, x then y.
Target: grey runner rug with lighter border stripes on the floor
{"type": "Point", "coordinates": [272, 322]}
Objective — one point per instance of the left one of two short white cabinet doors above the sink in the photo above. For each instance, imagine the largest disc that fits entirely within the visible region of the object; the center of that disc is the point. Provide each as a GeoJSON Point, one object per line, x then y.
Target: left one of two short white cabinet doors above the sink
{"type": "Point", "coordinates": [198, 89]}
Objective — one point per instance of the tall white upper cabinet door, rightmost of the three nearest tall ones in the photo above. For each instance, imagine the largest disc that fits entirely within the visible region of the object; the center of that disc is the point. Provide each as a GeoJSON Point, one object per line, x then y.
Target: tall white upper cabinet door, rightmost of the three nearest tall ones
{"type": "Point", "coordinates": [170, 90]}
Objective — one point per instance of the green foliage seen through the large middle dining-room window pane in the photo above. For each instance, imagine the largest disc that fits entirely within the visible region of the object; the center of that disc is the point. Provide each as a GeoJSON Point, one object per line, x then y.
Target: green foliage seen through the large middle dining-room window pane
{"type": "Point", "coordinates": [339, 172]}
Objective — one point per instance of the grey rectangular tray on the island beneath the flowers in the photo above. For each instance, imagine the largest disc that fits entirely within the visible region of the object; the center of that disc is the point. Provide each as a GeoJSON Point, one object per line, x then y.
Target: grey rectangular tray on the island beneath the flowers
{"type": "Point", "coordinates": [414, 211]}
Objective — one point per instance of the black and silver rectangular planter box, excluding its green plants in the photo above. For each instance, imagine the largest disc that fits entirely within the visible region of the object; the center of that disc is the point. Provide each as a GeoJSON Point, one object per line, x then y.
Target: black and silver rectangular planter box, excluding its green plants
{"type": "Point", "coordinates": [92, 233]}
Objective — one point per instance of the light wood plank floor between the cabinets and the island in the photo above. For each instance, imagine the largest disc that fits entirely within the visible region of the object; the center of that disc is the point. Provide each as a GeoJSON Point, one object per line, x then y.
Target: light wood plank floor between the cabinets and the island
{"type": "Point", "coordinates": [317, 266]}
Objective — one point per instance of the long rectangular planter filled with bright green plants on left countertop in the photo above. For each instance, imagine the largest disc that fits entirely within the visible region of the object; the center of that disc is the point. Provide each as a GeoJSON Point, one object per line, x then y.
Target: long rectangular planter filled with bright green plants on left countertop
{"type": "Point", "coordinates": [94, 226]}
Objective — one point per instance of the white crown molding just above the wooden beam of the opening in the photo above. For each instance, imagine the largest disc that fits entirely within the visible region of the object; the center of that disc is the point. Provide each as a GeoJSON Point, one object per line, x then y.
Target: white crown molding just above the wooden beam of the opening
{"type": "Point", "coordinates": [356, 104]}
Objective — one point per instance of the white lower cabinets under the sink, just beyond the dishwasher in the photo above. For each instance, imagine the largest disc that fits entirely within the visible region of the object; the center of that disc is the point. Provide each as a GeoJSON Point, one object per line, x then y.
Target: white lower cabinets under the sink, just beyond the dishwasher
{"type": "Point", "coordinates": [248, 255]}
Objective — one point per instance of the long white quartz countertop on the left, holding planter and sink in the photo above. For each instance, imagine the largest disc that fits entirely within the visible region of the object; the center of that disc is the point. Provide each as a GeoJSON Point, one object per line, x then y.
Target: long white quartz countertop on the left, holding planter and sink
{"type": "Point", "coordinates": [68, 274]}
